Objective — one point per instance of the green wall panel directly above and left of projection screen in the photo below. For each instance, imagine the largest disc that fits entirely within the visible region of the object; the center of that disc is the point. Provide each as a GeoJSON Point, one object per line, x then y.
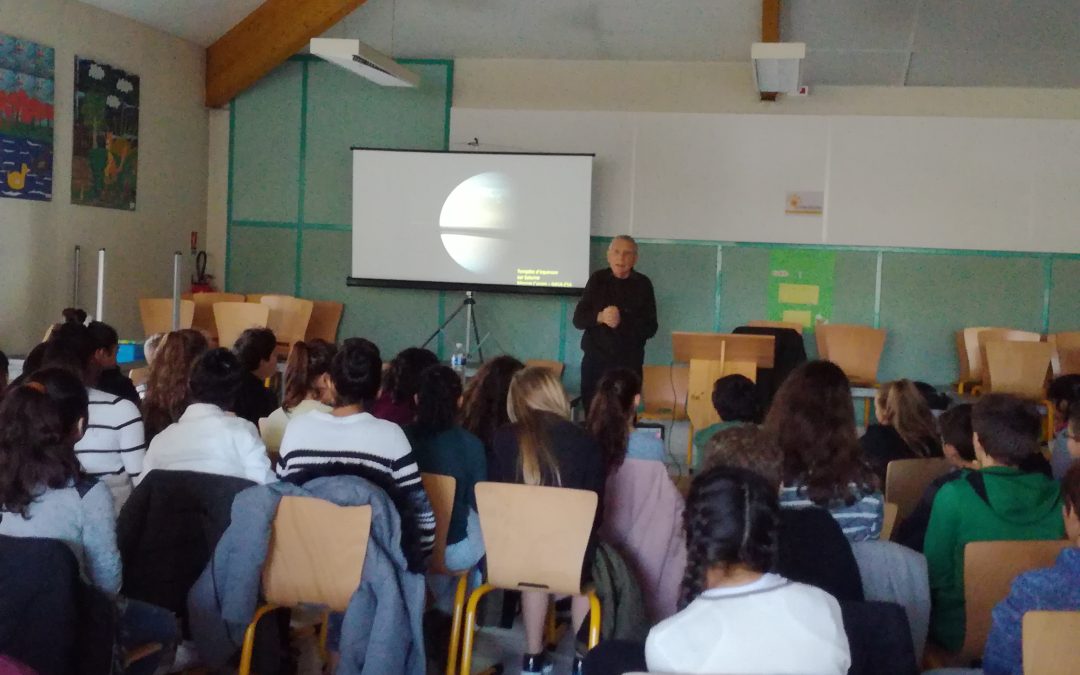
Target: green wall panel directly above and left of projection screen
{"type": "Point", "coordinates": [345, 111]}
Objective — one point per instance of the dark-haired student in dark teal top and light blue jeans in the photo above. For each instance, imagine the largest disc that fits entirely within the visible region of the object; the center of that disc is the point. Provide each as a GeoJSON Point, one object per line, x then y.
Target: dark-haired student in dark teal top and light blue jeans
{"type": "Point", "coordinates": [444, 448]}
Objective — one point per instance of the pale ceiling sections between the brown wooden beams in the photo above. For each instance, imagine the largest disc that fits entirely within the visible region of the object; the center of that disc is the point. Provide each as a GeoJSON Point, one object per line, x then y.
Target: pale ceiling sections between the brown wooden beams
{"type": "Point", "coordinates": [890, 43]}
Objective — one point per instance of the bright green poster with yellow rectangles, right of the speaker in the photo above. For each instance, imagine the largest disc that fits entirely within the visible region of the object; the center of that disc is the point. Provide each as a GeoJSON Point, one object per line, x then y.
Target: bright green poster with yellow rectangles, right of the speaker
{"type": "Point", "coordinates": [801, 286]}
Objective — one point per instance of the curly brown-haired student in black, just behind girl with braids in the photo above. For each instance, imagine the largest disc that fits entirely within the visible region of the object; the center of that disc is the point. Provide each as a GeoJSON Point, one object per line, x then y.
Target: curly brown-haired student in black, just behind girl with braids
{"type": "Point", "coordinates": [813, 548]}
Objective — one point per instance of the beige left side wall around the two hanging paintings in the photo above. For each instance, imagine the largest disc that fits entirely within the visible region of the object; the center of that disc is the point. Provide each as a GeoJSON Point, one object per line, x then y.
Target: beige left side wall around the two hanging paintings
{"type": "Point", "coordinates": [37, 238]}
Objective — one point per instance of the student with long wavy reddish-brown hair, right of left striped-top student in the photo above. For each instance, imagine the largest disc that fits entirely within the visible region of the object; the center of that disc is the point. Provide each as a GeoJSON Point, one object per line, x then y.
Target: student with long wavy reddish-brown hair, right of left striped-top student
{"type": "Point", "coordinates": [167, 395]}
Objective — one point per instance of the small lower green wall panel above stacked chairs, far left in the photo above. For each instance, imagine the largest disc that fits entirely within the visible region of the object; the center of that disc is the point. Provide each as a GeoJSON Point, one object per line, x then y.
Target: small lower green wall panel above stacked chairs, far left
{"type": "Point", "coordinates": [262, 260]}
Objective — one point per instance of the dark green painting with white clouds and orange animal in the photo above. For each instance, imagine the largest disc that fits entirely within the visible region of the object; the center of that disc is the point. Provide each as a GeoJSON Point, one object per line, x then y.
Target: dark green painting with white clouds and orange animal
{"type": "Point", "coordinates": [105, 147]}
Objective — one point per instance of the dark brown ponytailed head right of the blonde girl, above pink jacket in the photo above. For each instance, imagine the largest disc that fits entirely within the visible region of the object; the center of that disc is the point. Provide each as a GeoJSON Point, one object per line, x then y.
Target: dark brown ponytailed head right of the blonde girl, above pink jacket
{"type": "Point", "coordinates": [612, 413]}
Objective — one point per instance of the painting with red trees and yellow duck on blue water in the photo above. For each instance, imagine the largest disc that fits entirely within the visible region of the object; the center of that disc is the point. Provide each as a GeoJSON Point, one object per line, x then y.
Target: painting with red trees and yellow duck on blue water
{"type": "Point", "coordinates": [26, 119]}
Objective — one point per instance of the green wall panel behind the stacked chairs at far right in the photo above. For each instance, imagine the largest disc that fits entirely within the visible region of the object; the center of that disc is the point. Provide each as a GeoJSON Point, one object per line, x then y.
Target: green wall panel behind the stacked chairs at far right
{"type": "Point", "coordinates": [927, 299]}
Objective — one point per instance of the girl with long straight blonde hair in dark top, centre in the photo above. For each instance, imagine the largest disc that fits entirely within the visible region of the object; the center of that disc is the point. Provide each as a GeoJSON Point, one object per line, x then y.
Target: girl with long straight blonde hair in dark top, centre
{"type": "Point", "coordinates": [542, 447]}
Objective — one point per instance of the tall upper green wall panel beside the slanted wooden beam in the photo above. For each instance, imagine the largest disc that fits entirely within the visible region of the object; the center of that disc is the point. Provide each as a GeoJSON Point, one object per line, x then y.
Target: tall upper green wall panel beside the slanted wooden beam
{"type": "Point", "coordinates": [266, 147]}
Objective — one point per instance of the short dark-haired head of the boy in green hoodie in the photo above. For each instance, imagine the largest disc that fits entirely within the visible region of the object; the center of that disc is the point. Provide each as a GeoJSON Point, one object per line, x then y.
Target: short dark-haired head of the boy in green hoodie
{"type": "Point", "coordinates": [1007, 428]}
